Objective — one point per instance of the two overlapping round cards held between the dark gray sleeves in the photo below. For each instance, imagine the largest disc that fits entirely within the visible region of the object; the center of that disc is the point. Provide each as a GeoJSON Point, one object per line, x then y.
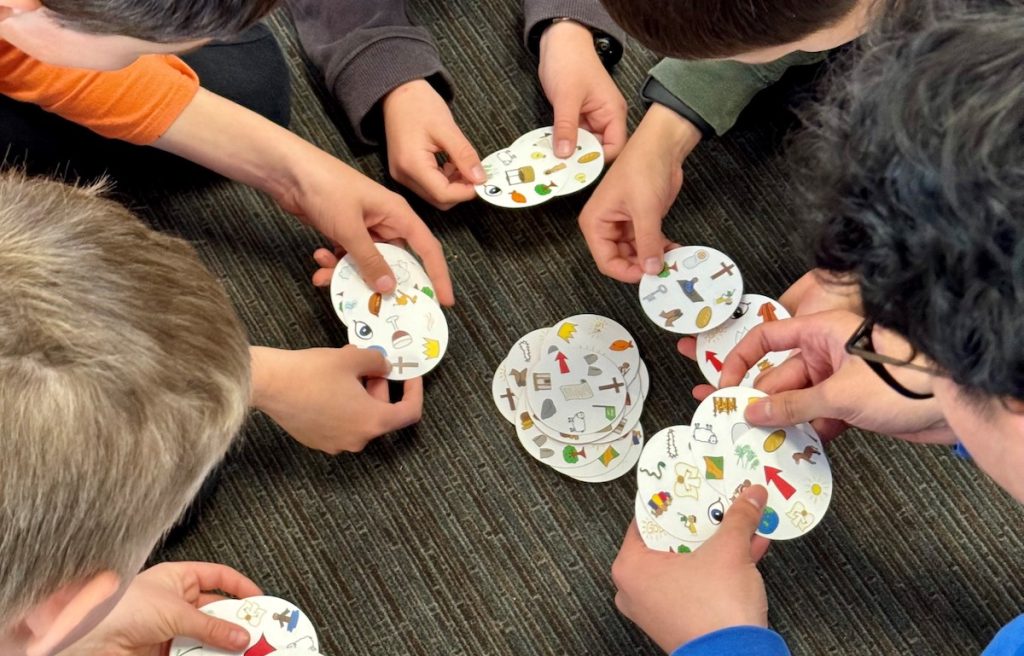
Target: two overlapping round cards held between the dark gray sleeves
{"type": "Point", "coordinates": [528, 173]}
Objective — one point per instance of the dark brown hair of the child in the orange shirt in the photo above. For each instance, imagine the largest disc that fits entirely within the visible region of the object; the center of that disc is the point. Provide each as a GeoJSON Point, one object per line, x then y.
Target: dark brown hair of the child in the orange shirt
{"type": "Point", "coordinates": [162, 22]}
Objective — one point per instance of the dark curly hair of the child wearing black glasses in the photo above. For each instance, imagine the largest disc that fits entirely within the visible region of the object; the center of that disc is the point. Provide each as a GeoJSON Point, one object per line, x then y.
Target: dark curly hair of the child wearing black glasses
{"type": "Point", "coordinates": [913, 178]}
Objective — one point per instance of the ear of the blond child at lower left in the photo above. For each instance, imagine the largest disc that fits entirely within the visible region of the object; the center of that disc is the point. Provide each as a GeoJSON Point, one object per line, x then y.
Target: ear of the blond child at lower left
{"type": "Point", "coordinates": [65, 615]}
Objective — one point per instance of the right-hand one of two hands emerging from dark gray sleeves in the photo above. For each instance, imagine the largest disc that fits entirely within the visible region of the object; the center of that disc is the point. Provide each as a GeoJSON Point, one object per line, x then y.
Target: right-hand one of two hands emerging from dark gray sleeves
{"type": "Point", "coordinates": [580, 90]}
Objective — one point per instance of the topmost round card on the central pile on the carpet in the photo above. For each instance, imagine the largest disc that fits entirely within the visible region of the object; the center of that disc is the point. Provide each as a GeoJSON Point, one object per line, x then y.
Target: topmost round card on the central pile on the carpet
{"type": "Point", "coordinates": [575, 391]}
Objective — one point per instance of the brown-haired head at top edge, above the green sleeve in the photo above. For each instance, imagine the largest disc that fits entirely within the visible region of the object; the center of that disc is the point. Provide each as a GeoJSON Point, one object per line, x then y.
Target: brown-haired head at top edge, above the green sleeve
{"type": "Point", "coordinates": [753, 32]}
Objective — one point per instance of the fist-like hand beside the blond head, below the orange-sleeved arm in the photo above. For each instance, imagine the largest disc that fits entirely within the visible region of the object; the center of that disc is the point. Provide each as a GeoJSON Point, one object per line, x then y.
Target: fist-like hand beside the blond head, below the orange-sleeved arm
{"type": "Point", "coordinates": [333, 401]}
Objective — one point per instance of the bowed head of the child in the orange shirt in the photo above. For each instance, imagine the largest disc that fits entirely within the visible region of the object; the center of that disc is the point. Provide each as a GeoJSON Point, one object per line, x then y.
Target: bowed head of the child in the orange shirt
{"type": "Point", "coordinates": [111, 34]}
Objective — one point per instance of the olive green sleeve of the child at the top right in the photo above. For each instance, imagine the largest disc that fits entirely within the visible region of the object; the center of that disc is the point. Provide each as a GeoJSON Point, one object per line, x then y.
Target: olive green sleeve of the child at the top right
{"type": "Point", "coordinates": [719, 91]}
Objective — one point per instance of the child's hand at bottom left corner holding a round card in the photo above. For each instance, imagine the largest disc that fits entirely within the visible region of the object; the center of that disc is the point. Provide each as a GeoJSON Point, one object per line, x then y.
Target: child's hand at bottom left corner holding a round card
{"type": "Point", "coordinates": [161, 604]}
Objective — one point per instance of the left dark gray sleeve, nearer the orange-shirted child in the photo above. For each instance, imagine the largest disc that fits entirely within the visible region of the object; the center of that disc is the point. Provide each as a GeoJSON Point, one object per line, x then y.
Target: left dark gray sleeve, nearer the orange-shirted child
{"type": "Point", "coordinates": [366, 50]}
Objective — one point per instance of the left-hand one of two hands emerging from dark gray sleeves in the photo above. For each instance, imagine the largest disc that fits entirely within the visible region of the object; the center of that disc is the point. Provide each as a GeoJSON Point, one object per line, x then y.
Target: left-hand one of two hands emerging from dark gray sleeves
{"type": "Point", "coordinates": [419, 126]}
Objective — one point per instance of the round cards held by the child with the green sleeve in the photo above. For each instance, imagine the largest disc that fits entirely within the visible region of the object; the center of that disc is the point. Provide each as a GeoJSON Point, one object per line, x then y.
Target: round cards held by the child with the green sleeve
{"type": "Point", "coordinates": [701, 292]}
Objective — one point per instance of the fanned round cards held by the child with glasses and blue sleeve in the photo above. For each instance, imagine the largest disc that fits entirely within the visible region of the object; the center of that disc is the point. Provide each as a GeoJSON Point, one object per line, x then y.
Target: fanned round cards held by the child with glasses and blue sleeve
{"type": "Point", "coordinates": [690, 475]}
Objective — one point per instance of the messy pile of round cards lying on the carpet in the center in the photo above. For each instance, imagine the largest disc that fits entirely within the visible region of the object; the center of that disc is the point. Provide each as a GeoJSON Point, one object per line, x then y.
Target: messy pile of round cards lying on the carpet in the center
{"type": "Point", "coordinates": [575, 393]}
